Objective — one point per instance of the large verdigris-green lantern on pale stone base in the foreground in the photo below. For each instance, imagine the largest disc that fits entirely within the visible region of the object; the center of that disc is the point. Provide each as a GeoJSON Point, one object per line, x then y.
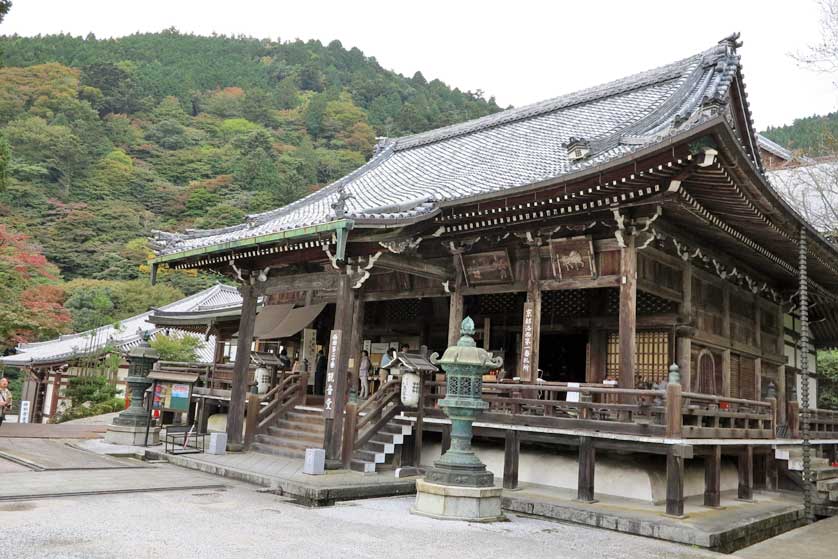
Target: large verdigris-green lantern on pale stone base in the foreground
{"type": "Point", "coordinates": [459, 486]}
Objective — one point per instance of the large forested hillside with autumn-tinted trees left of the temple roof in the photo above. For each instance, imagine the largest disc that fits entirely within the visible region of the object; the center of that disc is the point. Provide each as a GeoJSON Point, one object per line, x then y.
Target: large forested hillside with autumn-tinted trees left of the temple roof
{"type": "Point", "coordinates": [103, 140]}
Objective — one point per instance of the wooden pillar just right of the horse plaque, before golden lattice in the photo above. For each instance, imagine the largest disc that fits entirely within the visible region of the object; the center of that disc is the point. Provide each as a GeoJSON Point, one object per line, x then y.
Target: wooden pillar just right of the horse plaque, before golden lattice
{"type": "Point", "coordinates": [628, 312]}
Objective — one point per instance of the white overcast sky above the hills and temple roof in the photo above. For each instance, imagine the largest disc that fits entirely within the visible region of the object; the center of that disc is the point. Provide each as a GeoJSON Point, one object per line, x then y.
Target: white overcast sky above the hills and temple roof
{"type": "Point", "coordinates": [520, 52]}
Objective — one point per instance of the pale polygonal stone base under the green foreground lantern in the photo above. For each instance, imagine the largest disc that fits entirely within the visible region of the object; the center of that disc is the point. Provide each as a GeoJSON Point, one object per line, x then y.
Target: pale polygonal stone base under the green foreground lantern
{"type": "Point", "coordinates": [446, 502]}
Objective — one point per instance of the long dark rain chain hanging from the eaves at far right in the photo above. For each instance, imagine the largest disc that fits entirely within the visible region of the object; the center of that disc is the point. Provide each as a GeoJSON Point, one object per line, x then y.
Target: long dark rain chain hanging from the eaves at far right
{"type": "Point", "coordinates": [808, 487]}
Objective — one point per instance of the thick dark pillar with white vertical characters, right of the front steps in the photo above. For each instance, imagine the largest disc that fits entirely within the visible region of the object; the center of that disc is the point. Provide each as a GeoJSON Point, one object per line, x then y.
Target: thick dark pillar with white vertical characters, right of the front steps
{"type": "Point", "coordinates": [343, 322]}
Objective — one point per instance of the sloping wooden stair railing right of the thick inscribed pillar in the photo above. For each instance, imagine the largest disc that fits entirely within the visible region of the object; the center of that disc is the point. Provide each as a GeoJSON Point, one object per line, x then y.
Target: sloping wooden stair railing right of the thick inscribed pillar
{"type": "Point", "coordinates": [363, 421]}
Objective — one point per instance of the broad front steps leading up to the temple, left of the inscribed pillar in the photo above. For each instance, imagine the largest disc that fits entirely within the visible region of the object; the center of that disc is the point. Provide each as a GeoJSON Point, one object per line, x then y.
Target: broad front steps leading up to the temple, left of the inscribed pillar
{"type": "Point", "coordinates": [290, 436]}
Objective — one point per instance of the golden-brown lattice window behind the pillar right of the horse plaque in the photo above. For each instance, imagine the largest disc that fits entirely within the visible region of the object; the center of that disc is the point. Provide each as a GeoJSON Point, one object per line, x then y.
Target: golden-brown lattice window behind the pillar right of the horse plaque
{"type": "Point", "coordinates": [651, 358]}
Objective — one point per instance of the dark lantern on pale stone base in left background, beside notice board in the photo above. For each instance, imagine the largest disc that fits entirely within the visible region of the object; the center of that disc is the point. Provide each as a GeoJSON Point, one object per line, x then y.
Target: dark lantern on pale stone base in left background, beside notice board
{"type": "Point", "coordinates": [129, 427]}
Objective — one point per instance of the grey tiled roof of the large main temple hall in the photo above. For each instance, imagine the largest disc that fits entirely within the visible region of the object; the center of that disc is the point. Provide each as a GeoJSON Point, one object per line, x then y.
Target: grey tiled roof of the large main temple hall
{"type": "Point", "coordinates": [412, 177]}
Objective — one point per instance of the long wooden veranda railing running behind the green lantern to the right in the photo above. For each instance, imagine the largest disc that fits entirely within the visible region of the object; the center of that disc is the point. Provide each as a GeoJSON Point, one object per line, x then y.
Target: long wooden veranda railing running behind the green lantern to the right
{"type": "Point", "coordinates": [666, 413]}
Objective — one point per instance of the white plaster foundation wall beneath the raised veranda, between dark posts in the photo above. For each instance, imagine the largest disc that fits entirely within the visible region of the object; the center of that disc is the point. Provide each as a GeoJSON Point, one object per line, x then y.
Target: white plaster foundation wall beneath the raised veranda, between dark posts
{"type": "Point", "coordinates": [632, 476]}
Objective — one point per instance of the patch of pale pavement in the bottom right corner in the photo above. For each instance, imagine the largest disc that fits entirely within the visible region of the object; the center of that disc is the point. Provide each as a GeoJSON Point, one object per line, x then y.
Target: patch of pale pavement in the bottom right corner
{"type": "Point", "coordinates": [816, 541]}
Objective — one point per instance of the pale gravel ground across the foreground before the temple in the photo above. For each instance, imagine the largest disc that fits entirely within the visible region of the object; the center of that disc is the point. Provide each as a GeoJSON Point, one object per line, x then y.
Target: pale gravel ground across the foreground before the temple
{"type": "Point", "coordinates": [240, 522]}
